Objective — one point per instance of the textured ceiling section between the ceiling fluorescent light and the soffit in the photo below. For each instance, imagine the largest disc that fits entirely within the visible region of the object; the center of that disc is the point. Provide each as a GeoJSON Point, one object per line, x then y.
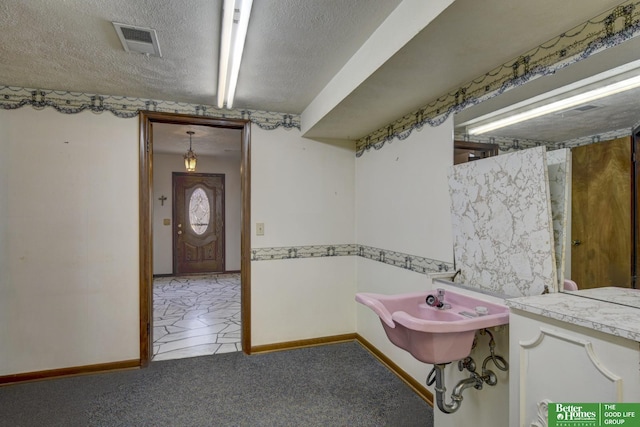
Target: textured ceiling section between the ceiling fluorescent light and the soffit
{"type": "Point", "coordinates": [294, 47]}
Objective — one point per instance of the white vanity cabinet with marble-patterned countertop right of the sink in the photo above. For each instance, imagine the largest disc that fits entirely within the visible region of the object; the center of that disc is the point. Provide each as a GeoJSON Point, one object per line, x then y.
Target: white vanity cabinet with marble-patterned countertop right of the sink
{"type": "Point", "coordinates": [565, 348]}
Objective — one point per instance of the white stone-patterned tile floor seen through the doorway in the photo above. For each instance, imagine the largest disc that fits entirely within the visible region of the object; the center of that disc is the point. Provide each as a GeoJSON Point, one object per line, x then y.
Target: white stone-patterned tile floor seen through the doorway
{"type": "Point", "coordinates": [196, 315]}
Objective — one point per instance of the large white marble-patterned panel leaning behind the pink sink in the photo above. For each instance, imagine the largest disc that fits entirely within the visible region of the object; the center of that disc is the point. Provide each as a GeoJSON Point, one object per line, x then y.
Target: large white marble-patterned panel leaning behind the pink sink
{"type": "Point", "coordinates": [502, 227]}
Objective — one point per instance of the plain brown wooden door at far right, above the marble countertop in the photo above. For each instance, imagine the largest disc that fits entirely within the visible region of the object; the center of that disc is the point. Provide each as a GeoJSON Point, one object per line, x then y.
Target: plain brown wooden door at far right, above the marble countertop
{"type": "Point", "coordinates": [601, 218]}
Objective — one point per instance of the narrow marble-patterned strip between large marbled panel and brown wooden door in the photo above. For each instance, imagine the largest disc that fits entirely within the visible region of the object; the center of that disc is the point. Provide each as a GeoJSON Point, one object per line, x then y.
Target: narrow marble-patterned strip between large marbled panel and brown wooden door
{"type": "Point", "coordinates": [559, 180]}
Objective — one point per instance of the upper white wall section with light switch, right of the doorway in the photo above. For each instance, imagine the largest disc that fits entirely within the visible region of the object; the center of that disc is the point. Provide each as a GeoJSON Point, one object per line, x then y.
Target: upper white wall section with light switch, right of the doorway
{"type": "Point", "coordinates": [302, 190]}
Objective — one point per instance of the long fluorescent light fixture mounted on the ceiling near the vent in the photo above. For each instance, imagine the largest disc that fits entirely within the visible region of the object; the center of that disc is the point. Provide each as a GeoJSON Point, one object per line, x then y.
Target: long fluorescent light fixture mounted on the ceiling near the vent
{"type": "Point", "coordinates": [235, 21]}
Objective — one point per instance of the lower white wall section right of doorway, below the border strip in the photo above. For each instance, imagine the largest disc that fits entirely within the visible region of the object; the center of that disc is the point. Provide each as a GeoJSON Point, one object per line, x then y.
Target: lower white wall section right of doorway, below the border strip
{"type": "Point", "coordinates": [301, 299]}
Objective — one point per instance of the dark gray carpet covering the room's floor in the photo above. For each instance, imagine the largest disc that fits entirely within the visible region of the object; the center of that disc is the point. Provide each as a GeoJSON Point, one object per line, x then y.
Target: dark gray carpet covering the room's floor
{"type": "Point", "coordinates": [332, 385]}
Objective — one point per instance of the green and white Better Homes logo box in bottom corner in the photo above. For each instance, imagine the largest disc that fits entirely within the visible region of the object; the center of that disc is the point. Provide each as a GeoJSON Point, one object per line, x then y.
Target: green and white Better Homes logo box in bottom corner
{"type": "Point", "coordinates": [594, 414]}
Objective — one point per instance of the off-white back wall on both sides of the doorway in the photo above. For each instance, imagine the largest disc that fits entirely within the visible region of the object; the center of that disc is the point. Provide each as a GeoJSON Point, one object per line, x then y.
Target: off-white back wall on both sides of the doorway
{"type": "Point", "coordinates": [69, 251]}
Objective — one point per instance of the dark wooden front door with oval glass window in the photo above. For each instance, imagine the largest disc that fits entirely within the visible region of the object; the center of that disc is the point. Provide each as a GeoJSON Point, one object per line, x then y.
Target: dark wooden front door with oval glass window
{"type": "Point", "coordinates": [198, 223]}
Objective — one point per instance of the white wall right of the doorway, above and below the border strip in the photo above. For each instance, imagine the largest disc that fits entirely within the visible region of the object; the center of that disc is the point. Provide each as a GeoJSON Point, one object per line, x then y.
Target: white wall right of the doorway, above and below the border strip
{"type": "Point", "coordinates": [303, 192]}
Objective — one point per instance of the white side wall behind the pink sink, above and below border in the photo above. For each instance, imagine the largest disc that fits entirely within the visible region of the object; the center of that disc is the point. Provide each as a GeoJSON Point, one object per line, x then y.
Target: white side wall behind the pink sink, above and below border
{"type": "Point", "coordinates": [402, 204]}
